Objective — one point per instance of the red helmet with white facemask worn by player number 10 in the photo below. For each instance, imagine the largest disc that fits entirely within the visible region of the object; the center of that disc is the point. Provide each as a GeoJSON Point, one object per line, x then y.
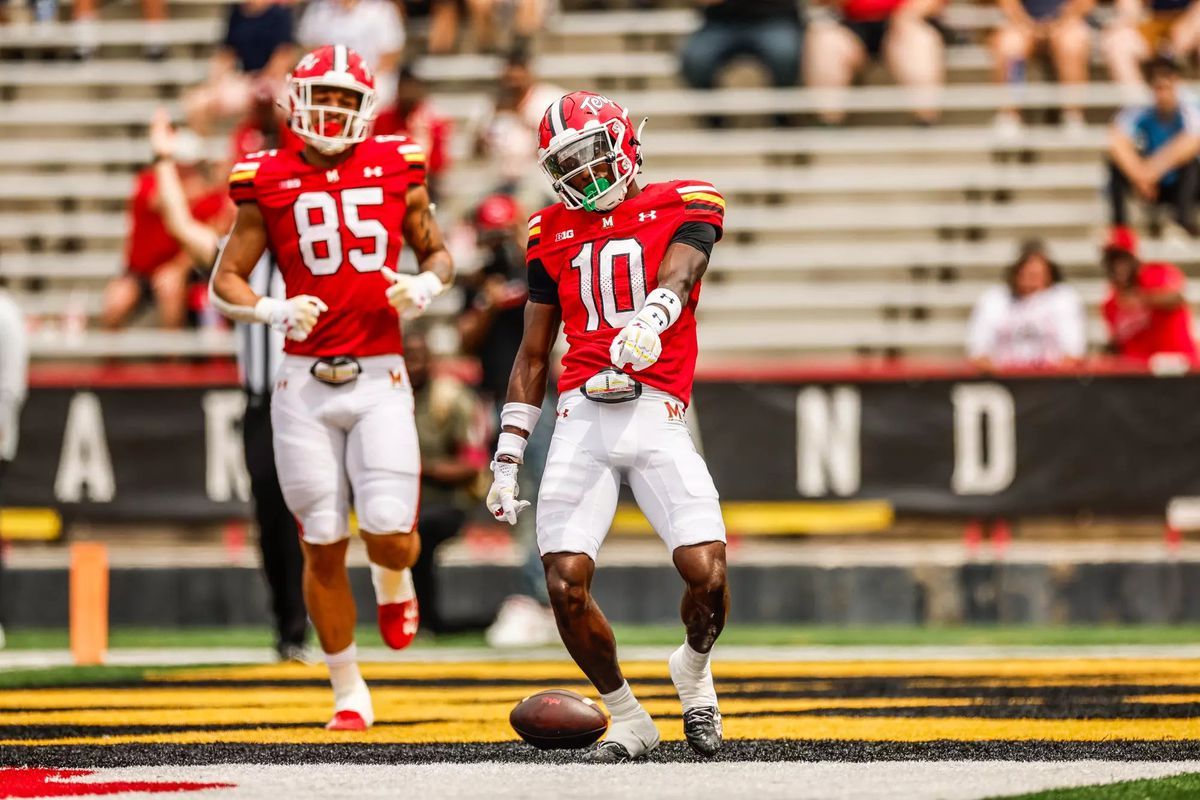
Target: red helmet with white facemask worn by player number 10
{"type": "Point", "coordinates": [580, 133]}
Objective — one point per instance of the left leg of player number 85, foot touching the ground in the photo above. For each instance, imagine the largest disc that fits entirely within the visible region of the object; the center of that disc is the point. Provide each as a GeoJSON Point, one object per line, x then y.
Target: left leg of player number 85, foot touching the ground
{"type": "Point", "coordinates": [310, 456]}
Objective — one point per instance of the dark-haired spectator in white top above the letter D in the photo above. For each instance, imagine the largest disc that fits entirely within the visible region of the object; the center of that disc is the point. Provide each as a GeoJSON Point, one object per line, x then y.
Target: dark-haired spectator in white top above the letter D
{"type": "Point", "coordinates": [1034, 321]}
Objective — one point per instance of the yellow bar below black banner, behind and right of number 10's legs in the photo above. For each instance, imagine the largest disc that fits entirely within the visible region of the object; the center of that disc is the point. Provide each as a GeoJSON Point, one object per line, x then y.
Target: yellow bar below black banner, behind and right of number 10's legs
{"type": "Point", "coordinates": [783, 519]}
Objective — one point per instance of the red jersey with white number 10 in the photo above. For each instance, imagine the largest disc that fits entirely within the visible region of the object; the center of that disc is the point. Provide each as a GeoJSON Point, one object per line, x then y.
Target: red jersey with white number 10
{"type": "Point", "coordinates": [607, 263]}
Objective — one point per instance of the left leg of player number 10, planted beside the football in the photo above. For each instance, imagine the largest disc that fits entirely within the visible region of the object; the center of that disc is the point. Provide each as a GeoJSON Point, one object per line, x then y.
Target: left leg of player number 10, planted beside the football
{"type": "Point", "coordinates": [577, 503]}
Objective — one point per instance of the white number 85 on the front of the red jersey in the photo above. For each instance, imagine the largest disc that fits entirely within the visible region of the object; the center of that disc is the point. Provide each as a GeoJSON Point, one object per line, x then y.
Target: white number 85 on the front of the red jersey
{"type": "Point", "coordinates": [321, 243]}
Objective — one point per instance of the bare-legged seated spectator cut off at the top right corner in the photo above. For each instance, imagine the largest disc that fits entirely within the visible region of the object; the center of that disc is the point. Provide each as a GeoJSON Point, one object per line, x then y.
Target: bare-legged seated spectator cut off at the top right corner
{"type": "Point", "coordinates": [1143, 29]}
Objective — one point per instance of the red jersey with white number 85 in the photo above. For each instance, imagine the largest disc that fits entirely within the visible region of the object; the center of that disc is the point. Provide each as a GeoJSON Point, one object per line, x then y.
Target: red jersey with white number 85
{"type": "Point", "coordinates": [332, 231]}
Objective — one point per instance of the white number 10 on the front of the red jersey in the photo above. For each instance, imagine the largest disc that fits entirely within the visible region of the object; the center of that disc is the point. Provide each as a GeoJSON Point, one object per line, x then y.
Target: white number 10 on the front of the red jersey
{"type": "Point", "coordinates": [598, 269]}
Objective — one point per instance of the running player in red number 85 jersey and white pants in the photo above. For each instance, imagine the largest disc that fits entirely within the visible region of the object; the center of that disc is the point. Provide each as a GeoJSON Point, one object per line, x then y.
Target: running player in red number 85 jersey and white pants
{"type": "Point", "coordinates": [333, 214]}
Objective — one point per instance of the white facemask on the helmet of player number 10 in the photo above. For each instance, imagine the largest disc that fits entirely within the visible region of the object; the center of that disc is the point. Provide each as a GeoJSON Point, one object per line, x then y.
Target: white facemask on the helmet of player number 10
{"type": "Point", "coordinates": [572, 164]}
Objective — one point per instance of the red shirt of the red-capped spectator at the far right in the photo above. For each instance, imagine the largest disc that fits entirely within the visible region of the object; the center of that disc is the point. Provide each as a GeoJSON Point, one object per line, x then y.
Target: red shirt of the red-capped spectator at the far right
{"type": "Point", "coordinates": [1141, 332]}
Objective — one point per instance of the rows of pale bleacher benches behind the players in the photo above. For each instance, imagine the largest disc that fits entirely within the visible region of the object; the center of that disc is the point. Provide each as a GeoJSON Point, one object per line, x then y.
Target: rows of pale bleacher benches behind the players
{"type": "Point", "coordinates": [880, 236]}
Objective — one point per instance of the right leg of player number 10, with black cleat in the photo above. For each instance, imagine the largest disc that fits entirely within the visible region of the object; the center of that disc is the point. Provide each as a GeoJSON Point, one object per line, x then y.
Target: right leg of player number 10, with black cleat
{"type": "Point", "coordinates": [675, 490]}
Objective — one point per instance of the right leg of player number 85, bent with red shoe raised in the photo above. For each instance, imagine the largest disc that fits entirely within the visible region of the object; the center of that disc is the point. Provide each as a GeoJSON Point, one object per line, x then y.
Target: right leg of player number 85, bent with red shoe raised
{"type": "Point", "coordinates": [383, 462]}
